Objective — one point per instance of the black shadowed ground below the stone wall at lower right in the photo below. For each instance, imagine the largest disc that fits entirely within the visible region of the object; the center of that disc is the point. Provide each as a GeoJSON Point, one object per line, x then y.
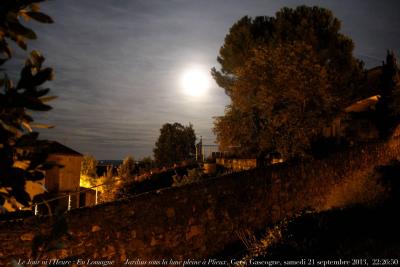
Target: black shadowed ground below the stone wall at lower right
{"type": "Point", "coordinates": [363, 231]}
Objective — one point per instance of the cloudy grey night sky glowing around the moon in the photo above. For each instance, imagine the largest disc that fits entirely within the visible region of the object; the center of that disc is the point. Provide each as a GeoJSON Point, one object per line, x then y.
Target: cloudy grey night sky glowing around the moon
{"type": "Point", "coordinates": [118, 63]}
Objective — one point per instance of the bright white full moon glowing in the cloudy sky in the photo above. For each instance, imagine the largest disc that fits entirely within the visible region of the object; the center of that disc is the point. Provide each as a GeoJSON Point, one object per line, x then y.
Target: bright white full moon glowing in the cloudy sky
{"type": "Point", "coordinates": [195, 82]}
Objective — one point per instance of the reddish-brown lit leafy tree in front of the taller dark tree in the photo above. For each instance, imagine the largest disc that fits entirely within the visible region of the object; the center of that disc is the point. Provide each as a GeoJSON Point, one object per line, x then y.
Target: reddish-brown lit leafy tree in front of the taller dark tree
{"type": "Point", "coordinates": [281, 96]}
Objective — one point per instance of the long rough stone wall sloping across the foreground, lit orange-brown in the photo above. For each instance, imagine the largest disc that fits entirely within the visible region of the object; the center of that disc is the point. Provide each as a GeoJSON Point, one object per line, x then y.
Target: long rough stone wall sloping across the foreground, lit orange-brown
{"type": "Point", "coordinates": [194, 221]}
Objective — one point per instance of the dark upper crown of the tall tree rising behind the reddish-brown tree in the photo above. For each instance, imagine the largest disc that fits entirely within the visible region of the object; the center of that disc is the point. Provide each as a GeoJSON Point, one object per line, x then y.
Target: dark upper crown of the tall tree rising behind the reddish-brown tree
{"type": "Point", "coordinates": [313, 26]}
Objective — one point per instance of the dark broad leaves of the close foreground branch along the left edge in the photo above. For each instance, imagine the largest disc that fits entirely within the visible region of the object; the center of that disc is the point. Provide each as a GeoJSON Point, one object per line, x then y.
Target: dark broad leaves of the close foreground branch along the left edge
{"type": "Point", "coordinates": [22, 155]}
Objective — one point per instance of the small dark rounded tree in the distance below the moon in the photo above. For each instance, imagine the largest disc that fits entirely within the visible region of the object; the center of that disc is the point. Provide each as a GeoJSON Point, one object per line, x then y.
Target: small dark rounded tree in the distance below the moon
{"type": "Point", "coordinates": [175, 144]}
